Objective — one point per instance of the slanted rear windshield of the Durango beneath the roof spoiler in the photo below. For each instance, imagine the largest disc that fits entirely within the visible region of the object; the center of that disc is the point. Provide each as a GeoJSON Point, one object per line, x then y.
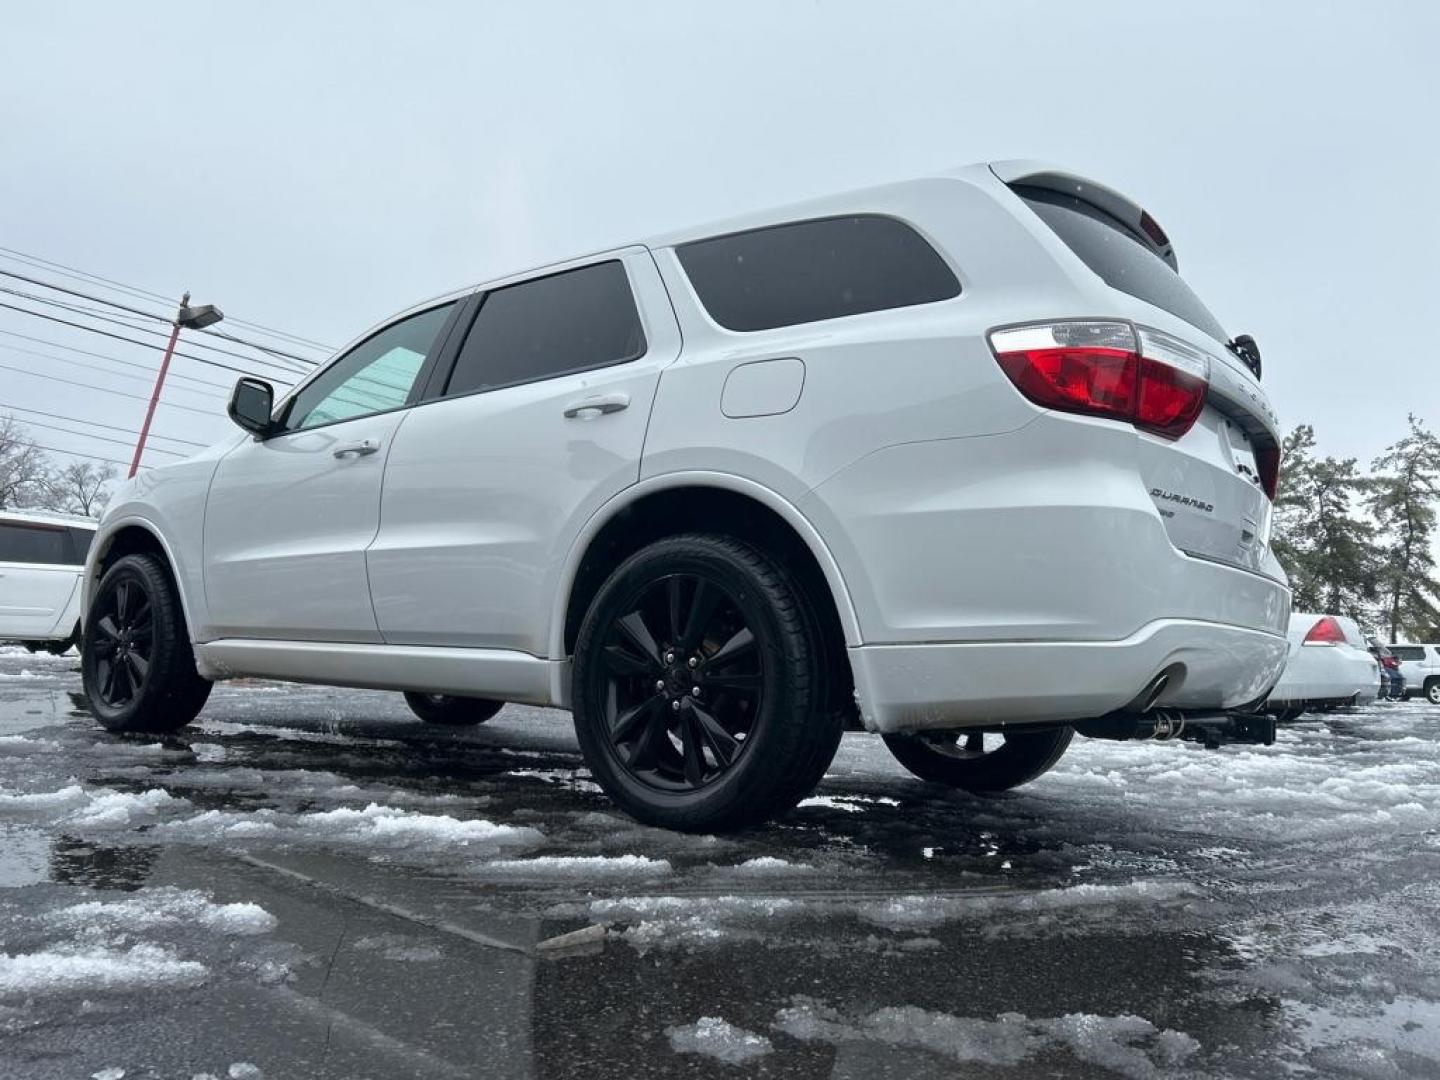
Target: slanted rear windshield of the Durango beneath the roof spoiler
{"type": "Point", "coordinates": [1115, 253]}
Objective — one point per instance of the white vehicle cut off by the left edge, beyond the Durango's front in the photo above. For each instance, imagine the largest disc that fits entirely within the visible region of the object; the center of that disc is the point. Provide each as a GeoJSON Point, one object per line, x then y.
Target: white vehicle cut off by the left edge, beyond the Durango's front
{"type": "Point", "coordinates": [42, 558]}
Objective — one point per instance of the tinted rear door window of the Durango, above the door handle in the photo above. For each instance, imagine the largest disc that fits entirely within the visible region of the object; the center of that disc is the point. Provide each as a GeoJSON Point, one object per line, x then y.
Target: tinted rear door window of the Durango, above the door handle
{"type": "Point", "coordinates": [539, 329]}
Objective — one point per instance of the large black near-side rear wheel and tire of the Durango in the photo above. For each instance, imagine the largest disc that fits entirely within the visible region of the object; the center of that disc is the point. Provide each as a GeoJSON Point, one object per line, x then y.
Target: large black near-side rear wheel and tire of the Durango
{"type": "Point", "coordinates": [698, 688]}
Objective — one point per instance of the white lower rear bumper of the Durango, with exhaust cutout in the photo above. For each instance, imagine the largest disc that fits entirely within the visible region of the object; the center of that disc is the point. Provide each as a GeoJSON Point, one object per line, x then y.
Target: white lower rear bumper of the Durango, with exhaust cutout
{"type": "Point", "coordinates": [919, 686]}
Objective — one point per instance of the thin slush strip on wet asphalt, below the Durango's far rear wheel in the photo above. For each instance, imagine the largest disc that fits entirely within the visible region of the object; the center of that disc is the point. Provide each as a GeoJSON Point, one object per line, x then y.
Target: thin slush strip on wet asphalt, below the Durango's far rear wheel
{"type": "Point", "coordinates": [925, 912]}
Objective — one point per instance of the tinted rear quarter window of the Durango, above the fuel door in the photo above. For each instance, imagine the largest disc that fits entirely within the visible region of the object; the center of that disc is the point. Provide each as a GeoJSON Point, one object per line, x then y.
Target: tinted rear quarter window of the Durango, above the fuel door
{"type": "Point", "coordinates": [811, 271]}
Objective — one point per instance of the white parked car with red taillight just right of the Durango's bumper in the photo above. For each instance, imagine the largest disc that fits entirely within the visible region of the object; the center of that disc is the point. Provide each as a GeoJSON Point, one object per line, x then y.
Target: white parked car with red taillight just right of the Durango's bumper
{"type": "Point", "coordinates": [1330, 666]}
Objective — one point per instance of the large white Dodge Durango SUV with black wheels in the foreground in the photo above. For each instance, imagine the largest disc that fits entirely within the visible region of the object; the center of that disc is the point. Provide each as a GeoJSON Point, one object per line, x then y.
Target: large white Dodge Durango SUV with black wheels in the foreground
{"type": "Point", "coordinates": [961, 462]}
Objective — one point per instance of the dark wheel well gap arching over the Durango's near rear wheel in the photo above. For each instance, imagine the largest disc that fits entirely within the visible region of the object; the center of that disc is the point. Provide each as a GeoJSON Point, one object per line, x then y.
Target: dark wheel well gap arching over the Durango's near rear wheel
{"type": "Point", "coordinates": [729, 513]}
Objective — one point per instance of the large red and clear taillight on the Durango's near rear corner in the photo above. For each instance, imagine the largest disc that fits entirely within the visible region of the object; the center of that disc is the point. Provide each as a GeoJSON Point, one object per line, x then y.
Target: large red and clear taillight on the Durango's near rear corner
{"type": "Point", "coordinates": [1104, 369]}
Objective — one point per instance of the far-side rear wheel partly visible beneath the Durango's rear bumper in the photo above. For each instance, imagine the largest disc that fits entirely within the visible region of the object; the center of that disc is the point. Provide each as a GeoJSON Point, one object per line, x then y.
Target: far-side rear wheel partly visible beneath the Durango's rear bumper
{"type": "Point", "coordinates": [958, 761]}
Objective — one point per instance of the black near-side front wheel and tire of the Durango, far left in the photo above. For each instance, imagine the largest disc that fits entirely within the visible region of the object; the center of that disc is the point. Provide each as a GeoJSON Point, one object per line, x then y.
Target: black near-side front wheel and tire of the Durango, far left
{"type": "Point", "coordinates": [136, 659]}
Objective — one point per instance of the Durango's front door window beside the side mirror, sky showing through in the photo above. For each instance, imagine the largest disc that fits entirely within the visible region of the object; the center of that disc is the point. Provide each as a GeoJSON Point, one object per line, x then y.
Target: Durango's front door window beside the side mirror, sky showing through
{"type": "Point", "coordinates": [375, 377]}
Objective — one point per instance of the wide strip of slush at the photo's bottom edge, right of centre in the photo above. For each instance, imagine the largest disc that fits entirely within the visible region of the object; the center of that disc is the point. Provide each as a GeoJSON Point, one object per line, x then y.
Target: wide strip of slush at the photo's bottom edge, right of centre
{"type": "Point", "coordinates": [1127, 1046]}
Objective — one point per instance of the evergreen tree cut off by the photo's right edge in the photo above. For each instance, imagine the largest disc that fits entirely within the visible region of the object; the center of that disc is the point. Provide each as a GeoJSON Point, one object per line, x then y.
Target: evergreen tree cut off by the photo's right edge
{"type": "Point", "coordinates": [1403, 502]}
